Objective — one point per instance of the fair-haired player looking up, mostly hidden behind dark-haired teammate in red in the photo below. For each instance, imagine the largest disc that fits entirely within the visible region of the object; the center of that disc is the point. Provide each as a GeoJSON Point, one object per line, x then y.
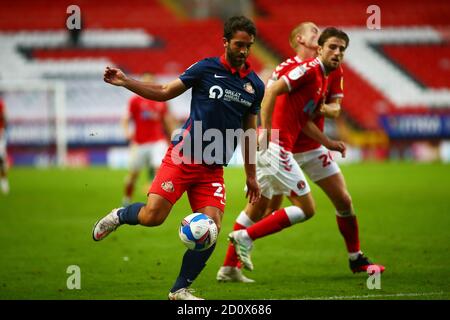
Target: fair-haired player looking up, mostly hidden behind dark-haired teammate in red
{"type": "Point", "coordinates": [303, 40]}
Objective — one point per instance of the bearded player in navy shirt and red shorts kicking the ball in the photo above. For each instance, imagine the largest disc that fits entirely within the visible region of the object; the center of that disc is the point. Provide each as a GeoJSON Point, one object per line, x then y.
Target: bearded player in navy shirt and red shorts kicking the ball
{"type": "Point", "coordinates": [226, 97]}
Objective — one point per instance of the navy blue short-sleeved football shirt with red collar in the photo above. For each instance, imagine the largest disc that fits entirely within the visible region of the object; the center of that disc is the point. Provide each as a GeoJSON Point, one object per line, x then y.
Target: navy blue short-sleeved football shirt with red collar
{"type": "Point", "coordinates": [221, 98]}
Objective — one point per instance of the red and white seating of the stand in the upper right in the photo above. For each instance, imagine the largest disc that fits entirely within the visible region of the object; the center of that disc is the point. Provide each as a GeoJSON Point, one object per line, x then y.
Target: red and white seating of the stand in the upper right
{"type": "Point", "coordinates": [381, 71]}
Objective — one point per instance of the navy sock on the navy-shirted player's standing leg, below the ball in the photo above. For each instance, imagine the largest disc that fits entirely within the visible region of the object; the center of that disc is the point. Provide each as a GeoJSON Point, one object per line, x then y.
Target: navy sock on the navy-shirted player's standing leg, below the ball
{"type": "Point", "coordinates": [193, 263]}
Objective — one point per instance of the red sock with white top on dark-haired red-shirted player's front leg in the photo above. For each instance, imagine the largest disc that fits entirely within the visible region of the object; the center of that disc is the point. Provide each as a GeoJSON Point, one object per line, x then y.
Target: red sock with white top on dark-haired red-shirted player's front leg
{"type": "Point", "coordinates": [275, 222]}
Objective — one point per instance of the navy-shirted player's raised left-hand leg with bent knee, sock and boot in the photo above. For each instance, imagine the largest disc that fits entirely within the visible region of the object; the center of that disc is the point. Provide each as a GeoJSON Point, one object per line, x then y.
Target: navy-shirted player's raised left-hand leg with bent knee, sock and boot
{"type": "Point", "coordinates": [151, 214]}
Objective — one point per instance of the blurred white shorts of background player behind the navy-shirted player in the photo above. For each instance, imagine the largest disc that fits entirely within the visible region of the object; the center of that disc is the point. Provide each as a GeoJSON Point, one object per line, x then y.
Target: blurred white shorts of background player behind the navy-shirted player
{"type": "Point", "coordinates": [147, 154]}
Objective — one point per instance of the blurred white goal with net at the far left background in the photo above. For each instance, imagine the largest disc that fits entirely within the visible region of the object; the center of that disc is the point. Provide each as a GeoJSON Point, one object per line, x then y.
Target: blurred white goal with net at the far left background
{"type": "Point", "coordinates": [36, 117]}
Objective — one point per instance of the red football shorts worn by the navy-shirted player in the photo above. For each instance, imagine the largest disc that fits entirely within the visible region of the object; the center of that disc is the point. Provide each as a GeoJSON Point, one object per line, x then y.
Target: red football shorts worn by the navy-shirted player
{"type": "Point", "coordinates": [204, 184]}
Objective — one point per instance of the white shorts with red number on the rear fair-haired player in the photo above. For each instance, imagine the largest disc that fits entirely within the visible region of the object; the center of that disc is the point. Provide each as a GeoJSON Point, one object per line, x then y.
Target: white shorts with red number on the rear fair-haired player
{"type": "Point", "coordinates": [317, 164]}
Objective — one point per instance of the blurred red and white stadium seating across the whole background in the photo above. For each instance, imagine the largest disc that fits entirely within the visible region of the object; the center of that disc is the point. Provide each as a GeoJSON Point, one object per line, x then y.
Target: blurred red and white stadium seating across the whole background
{"type": "Point", "coordinates": [387, 71]}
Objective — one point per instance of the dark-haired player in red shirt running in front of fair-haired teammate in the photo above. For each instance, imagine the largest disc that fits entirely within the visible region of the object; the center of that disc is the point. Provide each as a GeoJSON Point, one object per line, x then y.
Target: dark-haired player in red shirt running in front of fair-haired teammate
{"type": "Point", "coordinates": [288, 104]}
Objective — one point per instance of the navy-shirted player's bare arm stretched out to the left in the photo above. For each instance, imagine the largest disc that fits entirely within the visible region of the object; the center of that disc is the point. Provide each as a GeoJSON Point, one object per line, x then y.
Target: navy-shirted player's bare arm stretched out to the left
{"type": "Point", "coordinates": [147, 90]}
